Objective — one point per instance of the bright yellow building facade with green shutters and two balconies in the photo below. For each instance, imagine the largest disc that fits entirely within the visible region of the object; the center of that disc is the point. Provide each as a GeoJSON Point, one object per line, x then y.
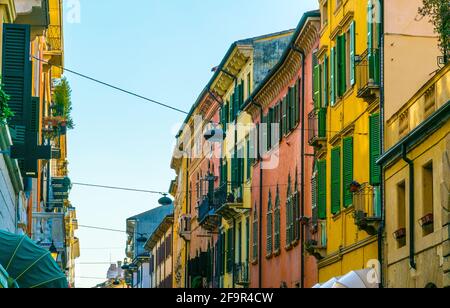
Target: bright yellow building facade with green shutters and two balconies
{"type": "Point", "coordinates": [347, 76]}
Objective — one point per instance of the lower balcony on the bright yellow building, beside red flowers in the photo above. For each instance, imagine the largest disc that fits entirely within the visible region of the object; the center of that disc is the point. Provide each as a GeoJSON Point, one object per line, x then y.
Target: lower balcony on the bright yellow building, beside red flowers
{"type": "Point", "coordinates": [367, 203]}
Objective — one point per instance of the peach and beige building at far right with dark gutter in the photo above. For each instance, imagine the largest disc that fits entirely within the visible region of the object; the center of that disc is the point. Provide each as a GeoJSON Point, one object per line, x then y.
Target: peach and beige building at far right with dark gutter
{"type": "Point", "coordinates": [415, 162]}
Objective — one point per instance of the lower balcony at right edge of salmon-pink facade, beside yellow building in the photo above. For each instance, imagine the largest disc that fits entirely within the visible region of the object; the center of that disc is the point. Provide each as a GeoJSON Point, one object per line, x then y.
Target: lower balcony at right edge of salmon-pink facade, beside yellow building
{"type": "Point", "coordinates": [316, 238]}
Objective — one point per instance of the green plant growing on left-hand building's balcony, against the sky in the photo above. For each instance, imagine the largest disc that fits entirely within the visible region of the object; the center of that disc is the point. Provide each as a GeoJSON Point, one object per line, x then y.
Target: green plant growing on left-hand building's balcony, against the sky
{"type": "Point", "coordinates": [62, 102]}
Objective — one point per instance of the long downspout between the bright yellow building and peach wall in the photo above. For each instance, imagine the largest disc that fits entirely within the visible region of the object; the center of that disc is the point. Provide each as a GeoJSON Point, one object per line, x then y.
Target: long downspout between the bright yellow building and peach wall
{"type": "Point", "coordinates": [382, 116]}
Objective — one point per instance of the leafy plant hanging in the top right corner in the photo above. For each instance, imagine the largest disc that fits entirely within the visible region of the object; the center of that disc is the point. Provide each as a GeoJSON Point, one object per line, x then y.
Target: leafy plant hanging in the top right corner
{"type": "Point", "coordinates": [439, 13]}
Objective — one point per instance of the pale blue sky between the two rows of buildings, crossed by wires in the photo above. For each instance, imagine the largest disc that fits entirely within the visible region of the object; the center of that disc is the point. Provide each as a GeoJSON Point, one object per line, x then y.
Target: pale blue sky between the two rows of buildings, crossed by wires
{"type": "Point", "coordinates": [162, 49]}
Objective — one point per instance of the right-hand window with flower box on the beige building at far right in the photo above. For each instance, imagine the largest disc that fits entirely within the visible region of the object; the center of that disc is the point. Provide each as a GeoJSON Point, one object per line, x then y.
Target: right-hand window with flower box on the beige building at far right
{"type": "Point", "coordinates": [428, 200]}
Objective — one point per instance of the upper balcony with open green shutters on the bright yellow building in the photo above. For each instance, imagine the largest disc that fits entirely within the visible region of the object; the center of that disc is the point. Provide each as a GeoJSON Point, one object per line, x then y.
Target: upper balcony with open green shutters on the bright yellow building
{"type": "Point", "coordinates": [368, 75]}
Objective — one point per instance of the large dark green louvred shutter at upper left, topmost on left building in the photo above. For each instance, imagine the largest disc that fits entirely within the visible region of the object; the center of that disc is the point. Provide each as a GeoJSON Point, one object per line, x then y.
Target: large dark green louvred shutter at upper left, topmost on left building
{"type": "Point", "coordinates": [16, 73]}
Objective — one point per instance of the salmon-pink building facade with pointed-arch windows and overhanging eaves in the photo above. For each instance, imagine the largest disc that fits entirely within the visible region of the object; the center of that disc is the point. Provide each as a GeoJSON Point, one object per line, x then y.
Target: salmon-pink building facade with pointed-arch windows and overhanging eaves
{"type": "Point", "coordinates": [281, 176]}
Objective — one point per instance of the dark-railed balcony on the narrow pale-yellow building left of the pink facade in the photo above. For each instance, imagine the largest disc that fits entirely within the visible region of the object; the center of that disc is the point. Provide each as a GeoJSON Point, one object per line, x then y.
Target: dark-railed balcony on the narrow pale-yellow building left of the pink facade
{"type": "Point", "coordinates": [227, 204]}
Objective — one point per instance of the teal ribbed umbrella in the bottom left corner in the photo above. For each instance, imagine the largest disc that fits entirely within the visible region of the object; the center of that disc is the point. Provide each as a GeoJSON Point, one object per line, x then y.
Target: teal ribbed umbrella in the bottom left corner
{"type": "Point", "coordinates": [28, 264]}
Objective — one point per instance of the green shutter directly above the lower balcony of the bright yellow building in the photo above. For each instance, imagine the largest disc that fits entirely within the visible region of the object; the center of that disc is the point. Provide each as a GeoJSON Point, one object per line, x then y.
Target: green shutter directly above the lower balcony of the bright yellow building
{"type": "Point", "coordinates": [375, 149]}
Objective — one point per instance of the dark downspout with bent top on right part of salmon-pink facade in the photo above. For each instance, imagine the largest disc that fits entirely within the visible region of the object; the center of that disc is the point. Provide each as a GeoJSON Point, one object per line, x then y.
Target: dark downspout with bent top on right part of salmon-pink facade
{"type": "Point", "coordinates": [302, 166]}
